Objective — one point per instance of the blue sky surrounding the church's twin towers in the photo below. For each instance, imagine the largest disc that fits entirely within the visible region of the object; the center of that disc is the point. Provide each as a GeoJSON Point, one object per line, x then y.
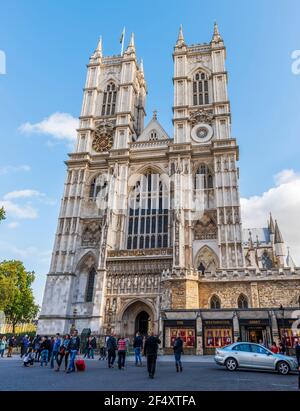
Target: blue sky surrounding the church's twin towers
{"type": "Point", "coordinates": [47, 45]}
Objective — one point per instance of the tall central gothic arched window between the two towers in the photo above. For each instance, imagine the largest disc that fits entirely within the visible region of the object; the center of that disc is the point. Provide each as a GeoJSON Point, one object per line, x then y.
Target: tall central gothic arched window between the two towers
{"type": "Point", "coordinates": [148, 219]}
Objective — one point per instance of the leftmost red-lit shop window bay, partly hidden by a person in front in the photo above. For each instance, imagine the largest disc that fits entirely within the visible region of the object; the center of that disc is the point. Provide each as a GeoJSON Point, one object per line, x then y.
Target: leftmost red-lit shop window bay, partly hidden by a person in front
{"type": "Point", "coordinates": [186, 329]}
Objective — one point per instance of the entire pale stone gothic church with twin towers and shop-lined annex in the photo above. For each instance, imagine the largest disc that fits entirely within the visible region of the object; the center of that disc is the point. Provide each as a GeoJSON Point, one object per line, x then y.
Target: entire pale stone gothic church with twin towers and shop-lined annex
{"type": "Point", "coordinates": [149, 233]}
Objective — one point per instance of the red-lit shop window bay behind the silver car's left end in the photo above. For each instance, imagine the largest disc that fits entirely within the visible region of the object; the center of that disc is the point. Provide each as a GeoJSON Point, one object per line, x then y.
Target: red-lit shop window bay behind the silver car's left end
{"type": "Point", "coordinates": [216, 334]}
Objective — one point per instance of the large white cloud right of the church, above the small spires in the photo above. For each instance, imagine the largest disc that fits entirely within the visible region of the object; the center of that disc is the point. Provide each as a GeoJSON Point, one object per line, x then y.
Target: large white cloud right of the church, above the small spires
{"type": "Point", "coordinates": [283, 200]}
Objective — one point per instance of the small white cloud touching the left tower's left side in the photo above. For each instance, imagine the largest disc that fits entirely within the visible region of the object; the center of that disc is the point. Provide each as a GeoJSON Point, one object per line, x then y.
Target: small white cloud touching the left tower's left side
{"type": "Point", "coordinates": [60, 126]}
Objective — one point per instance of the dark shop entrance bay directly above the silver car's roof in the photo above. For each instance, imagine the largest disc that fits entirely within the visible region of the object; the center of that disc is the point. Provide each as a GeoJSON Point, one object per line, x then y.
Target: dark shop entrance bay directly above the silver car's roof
{"type": "Point", "coordinates": [256, 330]}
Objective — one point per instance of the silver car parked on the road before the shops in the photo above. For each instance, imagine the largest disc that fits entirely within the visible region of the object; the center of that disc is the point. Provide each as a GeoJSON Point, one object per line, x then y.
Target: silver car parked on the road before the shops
{"type": "Point", "coordinates": [249, 355]}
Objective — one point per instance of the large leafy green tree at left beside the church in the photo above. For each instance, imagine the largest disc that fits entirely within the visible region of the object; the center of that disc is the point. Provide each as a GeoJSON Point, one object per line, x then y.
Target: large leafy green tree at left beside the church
{"type": "Point", "coordinates": [20, 306]}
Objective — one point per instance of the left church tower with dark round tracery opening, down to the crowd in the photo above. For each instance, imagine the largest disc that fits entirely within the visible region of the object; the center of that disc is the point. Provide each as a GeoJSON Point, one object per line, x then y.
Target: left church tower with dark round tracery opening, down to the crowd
{"type": "Point", "coordinates": [112, 117]}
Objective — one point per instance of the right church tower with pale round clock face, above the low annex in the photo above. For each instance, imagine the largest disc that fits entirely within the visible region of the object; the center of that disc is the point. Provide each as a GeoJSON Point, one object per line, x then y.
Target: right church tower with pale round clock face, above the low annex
{"type": "Point", "coordinates": [202, 135]}
